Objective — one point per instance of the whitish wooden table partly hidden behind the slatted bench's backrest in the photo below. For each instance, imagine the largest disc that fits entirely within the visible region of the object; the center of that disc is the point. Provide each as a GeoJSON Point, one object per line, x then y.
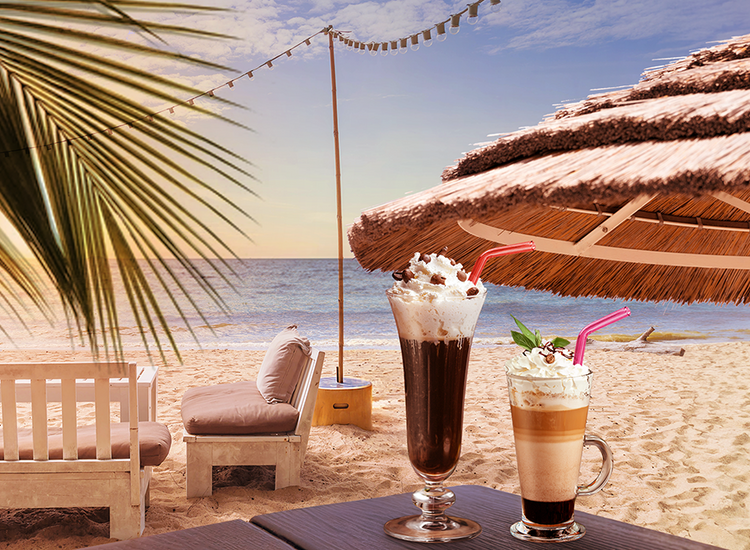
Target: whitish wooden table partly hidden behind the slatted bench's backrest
{"type": "Point", "coordinates": [118, 392]}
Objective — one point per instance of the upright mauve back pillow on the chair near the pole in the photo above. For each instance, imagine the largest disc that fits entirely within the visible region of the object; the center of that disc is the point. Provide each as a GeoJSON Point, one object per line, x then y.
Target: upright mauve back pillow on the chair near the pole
{"type": "Point", "coordinates": [282, 365]}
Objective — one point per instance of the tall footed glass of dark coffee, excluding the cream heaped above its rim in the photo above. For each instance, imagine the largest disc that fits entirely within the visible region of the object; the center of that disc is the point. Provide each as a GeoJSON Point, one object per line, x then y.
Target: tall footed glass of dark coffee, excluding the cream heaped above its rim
{"type": "Point", "coordinates": [435, 338]}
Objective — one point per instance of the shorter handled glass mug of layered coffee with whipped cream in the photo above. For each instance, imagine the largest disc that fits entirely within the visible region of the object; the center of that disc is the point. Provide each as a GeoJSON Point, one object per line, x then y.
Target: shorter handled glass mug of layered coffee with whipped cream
{"type": "Point", "coordinates": [549, 399]}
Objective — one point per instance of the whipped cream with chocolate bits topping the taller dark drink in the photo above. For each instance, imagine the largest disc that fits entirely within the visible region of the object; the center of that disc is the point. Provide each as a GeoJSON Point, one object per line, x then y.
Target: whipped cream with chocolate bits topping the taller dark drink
{"type": "Point", "coordinates": [434, 300]}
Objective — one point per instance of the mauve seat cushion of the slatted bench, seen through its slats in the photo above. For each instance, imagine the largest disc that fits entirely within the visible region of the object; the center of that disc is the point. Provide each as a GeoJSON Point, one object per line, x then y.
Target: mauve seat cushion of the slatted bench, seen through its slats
{"type": "Point", "coordinates": [154, 441]}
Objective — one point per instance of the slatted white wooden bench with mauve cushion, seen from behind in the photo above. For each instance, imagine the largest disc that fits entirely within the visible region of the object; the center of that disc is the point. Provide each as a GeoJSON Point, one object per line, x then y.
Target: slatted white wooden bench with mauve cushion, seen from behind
{"type": "Point", "coordinates": [107, 464]}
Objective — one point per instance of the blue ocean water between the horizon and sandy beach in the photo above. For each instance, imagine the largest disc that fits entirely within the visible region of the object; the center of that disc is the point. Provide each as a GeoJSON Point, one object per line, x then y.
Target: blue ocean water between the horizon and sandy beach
{"type": "Point", "coordinates": [272, 294]}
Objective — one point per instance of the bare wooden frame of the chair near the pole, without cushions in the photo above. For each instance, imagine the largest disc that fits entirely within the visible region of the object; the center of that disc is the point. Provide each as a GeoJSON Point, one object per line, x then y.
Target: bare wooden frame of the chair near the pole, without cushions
{"type": "Point", "coordinates": [286, 451]}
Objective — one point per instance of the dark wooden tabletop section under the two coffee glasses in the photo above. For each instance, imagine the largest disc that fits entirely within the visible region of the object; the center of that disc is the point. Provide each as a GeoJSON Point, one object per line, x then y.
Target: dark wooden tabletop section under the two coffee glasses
{"type": "Point", "coordinates": [359, 525]}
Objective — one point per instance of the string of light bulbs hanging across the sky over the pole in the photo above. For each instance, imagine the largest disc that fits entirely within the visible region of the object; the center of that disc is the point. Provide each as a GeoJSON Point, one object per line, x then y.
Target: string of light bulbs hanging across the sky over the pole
{"type": "Point", "coordinates": [399, 45]}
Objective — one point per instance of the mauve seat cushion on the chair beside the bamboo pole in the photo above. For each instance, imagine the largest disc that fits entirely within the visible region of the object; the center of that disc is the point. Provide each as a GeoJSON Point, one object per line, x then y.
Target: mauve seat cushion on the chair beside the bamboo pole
{"type": "Point", "coordinates": [234, 409]}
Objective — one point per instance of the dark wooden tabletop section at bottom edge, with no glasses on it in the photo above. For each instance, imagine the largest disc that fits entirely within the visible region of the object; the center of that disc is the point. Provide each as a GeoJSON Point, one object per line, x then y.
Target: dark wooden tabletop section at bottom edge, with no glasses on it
{"type": "Point", "coordinates": [228, 535]}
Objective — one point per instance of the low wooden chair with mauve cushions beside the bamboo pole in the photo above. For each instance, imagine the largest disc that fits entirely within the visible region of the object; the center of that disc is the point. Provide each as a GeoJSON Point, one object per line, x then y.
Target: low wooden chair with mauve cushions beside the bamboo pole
{"type": "Point", "coordinates": [254, 423]}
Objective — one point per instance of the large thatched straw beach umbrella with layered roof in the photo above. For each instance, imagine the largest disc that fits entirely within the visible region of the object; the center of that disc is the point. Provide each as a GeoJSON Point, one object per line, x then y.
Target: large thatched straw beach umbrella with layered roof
{"type": "Point", "coordinates": [641, 193]}
